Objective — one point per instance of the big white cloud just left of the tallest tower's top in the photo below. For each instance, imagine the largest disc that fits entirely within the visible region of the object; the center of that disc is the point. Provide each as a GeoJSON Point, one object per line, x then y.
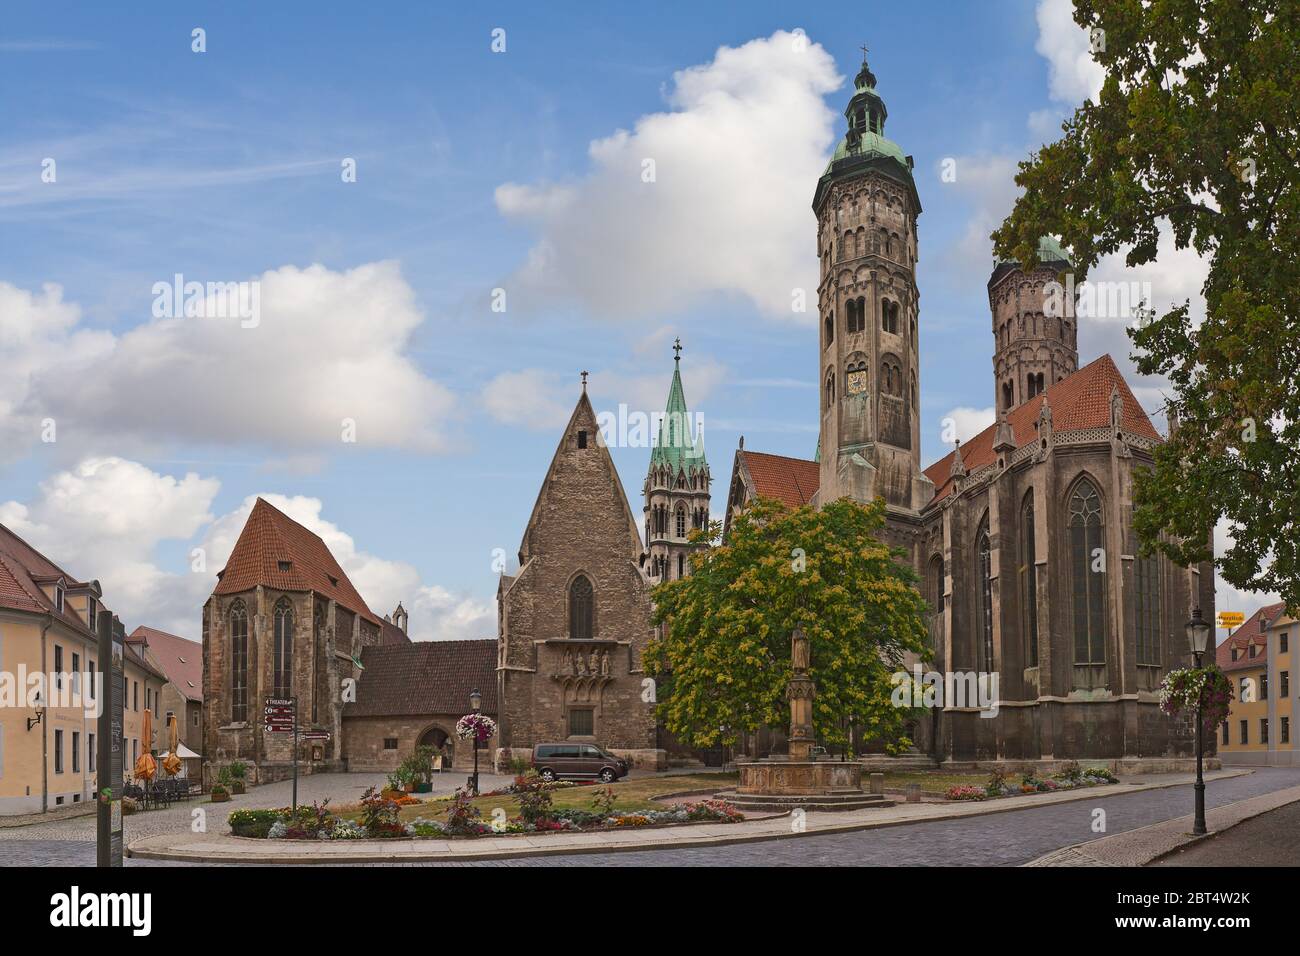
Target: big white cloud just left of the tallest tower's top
{"type": "Point", "coordinates": [734, 163]}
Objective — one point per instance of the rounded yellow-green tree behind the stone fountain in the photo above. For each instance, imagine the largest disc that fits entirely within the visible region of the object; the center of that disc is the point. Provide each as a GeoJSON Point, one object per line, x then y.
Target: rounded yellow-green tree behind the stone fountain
{"type": "Point", "coordinates": [725, 656]}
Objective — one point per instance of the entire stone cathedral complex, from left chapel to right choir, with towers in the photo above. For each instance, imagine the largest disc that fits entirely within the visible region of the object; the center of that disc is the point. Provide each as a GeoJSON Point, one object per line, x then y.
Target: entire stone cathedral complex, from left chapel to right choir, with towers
{"type": "Point", "coordinates": [1022, 540]}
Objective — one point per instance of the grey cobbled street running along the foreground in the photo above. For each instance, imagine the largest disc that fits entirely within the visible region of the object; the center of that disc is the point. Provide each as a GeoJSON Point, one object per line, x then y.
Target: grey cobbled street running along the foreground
{"type": "Point", "coordinates": [999, 840]}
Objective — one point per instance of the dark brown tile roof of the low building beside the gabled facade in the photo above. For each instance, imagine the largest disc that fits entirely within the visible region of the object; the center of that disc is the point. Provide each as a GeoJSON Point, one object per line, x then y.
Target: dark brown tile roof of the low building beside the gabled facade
{"type": "Point", "coordinates": [426, 678]}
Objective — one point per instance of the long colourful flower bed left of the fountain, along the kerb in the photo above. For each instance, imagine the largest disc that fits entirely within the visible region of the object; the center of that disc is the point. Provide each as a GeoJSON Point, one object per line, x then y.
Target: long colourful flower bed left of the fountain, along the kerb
{"type": "Point", "coordinates": [379, 817]}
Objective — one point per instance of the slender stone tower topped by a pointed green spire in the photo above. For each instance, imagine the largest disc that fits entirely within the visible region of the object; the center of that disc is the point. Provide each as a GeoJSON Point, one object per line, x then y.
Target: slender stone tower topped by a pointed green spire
{"type": "Point", "coordinates": [677, 487]}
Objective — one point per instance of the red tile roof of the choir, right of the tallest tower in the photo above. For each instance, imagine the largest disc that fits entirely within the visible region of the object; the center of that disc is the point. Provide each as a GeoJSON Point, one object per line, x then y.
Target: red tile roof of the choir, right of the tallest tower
{"type": "Point", "coordinates": [1078, 401]}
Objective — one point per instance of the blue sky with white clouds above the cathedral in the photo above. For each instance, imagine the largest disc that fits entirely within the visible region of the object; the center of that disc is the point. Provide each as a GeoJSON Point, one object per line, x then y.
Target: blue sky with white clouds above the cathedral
{"type": "Point", "coordinates": [440, 218]}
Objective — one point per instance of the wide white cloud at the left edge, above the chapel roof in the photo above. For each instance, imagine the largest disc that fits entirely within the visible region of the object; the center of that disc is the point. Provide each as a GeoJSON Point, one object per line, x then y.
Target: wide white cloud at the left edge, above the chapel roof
{"type": "Point", "coordinates": [328, 347]}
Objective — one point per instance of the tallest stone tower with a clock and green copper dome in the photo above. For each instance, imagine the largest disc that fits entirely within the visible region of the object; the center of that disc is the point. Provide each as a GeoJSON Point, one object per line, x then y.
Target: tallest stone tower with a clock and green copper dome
{"type": "Point", "coordinates": [866, 206]}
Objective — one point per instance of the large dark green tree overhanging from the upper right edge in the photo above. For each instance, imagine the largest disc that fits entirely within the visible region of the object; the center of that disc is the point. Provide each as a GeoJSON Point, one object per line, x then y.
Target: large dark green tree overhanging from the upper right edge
{"type": "Point", "coordinates": [1198, 132]}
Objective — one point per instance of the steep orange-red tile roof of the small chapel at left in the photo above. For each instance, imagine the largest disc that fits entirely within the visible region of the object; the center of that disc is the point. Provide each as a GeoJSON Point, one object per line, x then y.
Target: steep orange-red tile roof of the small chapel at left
{"type": "Point", "coordinates": [272, 539]}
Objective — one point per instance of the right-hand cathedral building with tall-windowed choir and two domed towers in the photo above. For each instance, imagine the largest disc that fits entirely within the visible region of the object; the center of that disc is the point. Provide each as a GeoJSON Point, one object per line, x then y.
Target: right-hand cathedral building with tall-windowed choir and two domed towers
{"type": "Point", "coordinates": [1024, 537]}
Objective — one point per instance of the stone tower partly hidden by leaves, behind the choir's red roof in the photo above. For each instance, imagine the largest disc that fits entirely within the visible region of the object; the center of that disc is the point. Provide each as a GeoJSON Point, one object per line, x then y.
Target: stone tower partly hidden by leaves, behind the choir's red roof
{"type": "Point", "coordinates": [1037, 345]}
